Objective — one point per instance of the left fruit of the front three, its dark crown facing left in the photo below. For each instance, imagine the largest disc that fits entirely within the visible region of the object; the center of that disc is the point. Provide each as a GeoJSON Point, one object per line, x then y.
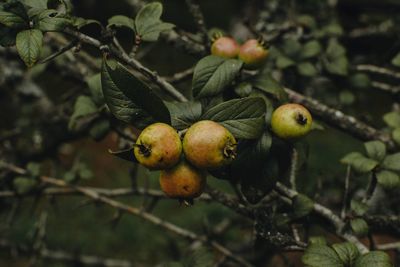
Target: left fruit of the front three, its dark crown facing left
{"type": "Point", "coordinates": [158, 147]}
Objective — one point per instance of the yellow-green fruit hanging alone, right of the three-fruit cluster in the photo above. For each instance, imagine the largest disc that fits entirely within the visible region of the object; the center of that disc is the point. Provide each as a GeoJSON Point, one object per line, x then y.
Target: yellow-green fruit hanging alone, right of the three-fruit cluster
{"type": "Point", "coordinates": [291, 121]}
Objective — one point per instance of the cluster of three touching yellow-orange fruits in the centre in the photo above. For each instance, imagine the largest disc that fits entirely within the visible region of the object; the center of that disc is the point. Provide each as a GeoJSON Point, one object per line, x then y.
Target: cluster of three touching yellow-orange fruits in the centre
{"type": "Point", "coordinates": [206, 145]}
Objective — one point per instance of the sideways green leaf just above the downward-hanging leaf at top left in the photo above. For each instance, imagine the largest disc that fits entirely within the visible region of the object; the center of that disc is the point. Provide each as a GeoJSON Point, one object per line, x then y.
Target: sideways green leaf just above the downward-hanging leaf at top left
{"type": "Point", "coordinates": [50, 20]}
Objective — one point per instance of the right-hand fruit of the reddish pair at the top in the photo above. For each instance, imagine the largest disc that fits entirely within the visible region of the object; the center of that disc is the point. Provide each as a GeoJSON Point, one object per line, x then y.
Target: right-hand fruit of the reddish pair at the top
{"type": "Point", "coordinates": [253, 53]}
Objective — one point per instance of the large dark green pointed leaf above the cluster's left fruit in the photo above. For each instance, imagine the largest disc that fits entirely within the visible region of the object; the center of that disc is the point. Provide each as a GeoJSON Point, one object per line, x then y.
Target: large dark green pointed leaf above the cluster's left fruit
{"type": "Point", "coordinates": [129, 99]}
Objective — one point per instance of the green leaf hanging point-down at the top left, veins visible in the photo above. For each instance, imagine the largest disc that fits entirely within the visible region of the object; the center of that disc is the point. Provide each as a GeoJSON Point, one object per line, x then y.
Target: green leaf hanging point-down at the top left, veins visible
{"type": "Point", "coordinates": [29, 46]}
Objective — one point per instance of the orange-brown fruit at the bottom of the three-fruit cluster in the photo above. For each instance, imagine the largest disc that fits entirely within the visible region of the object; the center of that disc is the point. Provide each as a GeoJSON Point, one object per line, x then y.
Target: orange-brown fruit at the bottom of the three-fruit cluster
{"type": "Point", "coordinates": [182, 181]}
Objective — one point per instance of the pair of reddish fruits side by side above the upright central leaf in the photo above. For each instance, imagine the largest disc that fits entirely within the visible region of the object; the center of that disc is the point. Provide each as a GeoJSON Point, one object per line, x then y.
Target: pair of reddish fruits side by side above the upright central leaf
{"type": "Point", "coordinates": [253, 52]}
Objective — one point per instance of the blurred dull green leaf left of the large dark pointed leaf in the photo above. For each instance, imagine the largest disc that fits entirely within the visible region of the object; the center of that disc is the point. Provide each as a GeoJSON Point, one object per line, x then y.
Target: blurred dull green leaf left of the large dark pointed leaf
{"type": "Point", "coordinates": [84, 106]}
